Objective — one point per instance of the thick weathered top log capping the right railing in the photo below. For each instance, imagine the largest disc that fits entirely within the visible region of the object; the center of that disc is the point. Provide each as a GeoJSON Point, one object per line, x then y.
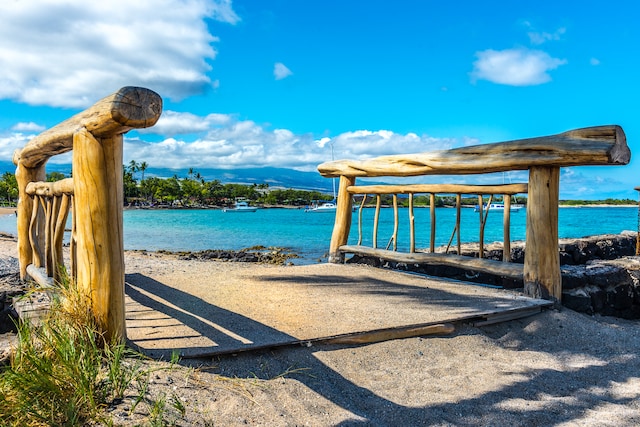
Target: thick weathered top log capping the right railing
{"type": "Point", "coordinates": [601, 145]}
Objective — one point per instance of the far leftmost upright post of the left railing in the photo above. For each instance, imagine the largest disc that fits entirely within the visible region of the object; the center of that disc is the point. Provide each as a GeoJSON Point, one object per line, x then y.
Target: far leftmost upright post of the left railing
{"type": "Point", "coordinates": [24, 175]}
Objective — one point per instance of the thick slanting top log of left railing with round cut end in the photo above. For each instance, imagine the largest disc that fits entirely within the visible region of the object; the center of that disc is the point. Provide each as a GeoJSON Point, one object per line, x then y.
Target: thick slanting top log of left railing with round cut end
{"type": "Point", "coordinates": [128, 108]}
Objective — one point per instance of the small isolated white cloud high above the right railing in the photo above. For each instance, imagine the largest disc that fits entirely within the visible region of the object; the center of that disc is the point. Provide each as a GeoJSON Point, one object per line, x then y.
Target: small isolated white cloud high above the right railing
{"type": "Point", "coordinates": [515, 67]}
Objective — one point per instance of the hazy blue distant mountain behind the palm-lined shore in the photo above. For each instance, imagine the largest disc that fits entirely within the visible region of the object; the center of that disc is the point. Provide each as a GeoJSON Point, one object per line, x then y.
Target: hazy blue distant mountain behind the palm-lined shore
{"type": "Point", "coordinates": [275, 177]}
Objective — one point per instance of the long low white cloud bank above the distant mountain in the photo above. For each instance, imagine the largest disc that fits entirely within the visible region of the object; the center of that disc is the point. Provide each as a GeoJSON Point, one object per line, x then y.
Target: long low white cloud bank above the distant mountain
{"type": "Point", "coordinates": [227, 143]}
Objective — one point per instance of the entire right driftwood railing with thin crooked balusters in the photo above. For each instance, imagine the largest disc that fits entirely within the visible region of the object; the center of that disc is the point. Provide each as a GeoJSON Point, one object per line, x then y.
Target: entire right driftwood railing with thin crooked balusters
{"type": "Point", "coordinates": [543, 157]}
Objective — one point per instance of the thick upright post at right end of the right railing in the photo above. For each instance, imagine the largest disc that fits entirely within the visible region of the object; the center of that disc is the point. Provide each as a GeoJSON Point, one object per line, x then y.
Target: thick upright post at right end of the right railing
{"type": "Point", "coordinates": [542, 277]}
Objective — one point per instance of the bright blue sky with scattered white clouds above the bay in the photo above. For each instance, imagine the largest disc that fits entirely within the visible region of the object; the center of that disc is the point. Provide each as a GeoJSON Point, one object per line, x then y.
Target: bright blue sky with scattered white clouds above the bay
{"type": "Point", "coordinates": [277, 83]}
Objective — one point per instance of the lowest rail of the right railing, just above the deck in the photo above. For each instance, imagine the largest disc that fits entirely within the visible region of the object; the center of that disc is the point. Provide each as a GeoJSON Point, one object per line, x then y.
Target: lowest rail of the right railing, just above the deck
{"type": "Point", "coordinates": [498, 268]}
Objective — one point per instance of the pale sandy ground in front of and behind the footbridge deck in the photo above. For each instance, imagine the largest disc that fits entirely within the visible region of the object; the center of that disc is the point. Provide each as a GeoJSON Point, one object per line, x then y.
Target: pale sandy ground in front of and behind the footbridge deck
{"type": "Point", "coordinates": [556, 368]}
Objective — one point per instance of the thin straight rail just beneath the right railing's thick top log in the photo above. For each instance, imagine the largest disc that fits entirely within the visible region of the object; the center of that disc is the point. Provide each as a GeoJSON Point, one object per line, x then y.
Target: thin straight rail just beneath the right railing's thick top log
{"type": "Point", "coordinates": [439, 189]}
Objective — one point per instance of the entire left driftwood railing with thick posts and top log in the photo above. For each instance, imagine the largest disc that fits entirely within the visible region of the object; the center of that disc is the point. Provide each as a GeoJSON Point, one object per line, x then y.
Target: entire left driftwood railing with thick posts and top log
{"type": "Point", "coordinates": [93, 196]}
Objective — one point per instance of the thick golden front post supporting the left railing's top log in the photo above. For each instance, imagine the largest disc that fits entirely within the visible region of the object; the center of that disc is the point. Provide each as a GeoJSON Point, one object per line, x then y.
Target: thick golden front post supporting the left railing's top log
{"type": "Point", "coordinates": [98, 200]}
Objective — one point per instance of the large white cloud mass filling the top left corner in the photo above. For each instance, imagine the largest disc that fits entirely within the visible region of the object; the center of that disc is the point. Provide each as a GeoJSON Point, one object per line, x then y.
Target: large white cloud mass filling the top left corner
{"type": "Point", "coordinates": [71, 53]}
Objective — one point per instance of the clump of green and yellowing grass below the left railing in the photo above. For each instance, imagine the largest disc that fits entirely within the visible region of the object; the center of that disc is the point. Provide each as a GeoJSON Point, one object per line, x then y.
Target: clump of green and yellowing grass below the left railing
{"type": "Point", "coordinates": [63, 373]}
